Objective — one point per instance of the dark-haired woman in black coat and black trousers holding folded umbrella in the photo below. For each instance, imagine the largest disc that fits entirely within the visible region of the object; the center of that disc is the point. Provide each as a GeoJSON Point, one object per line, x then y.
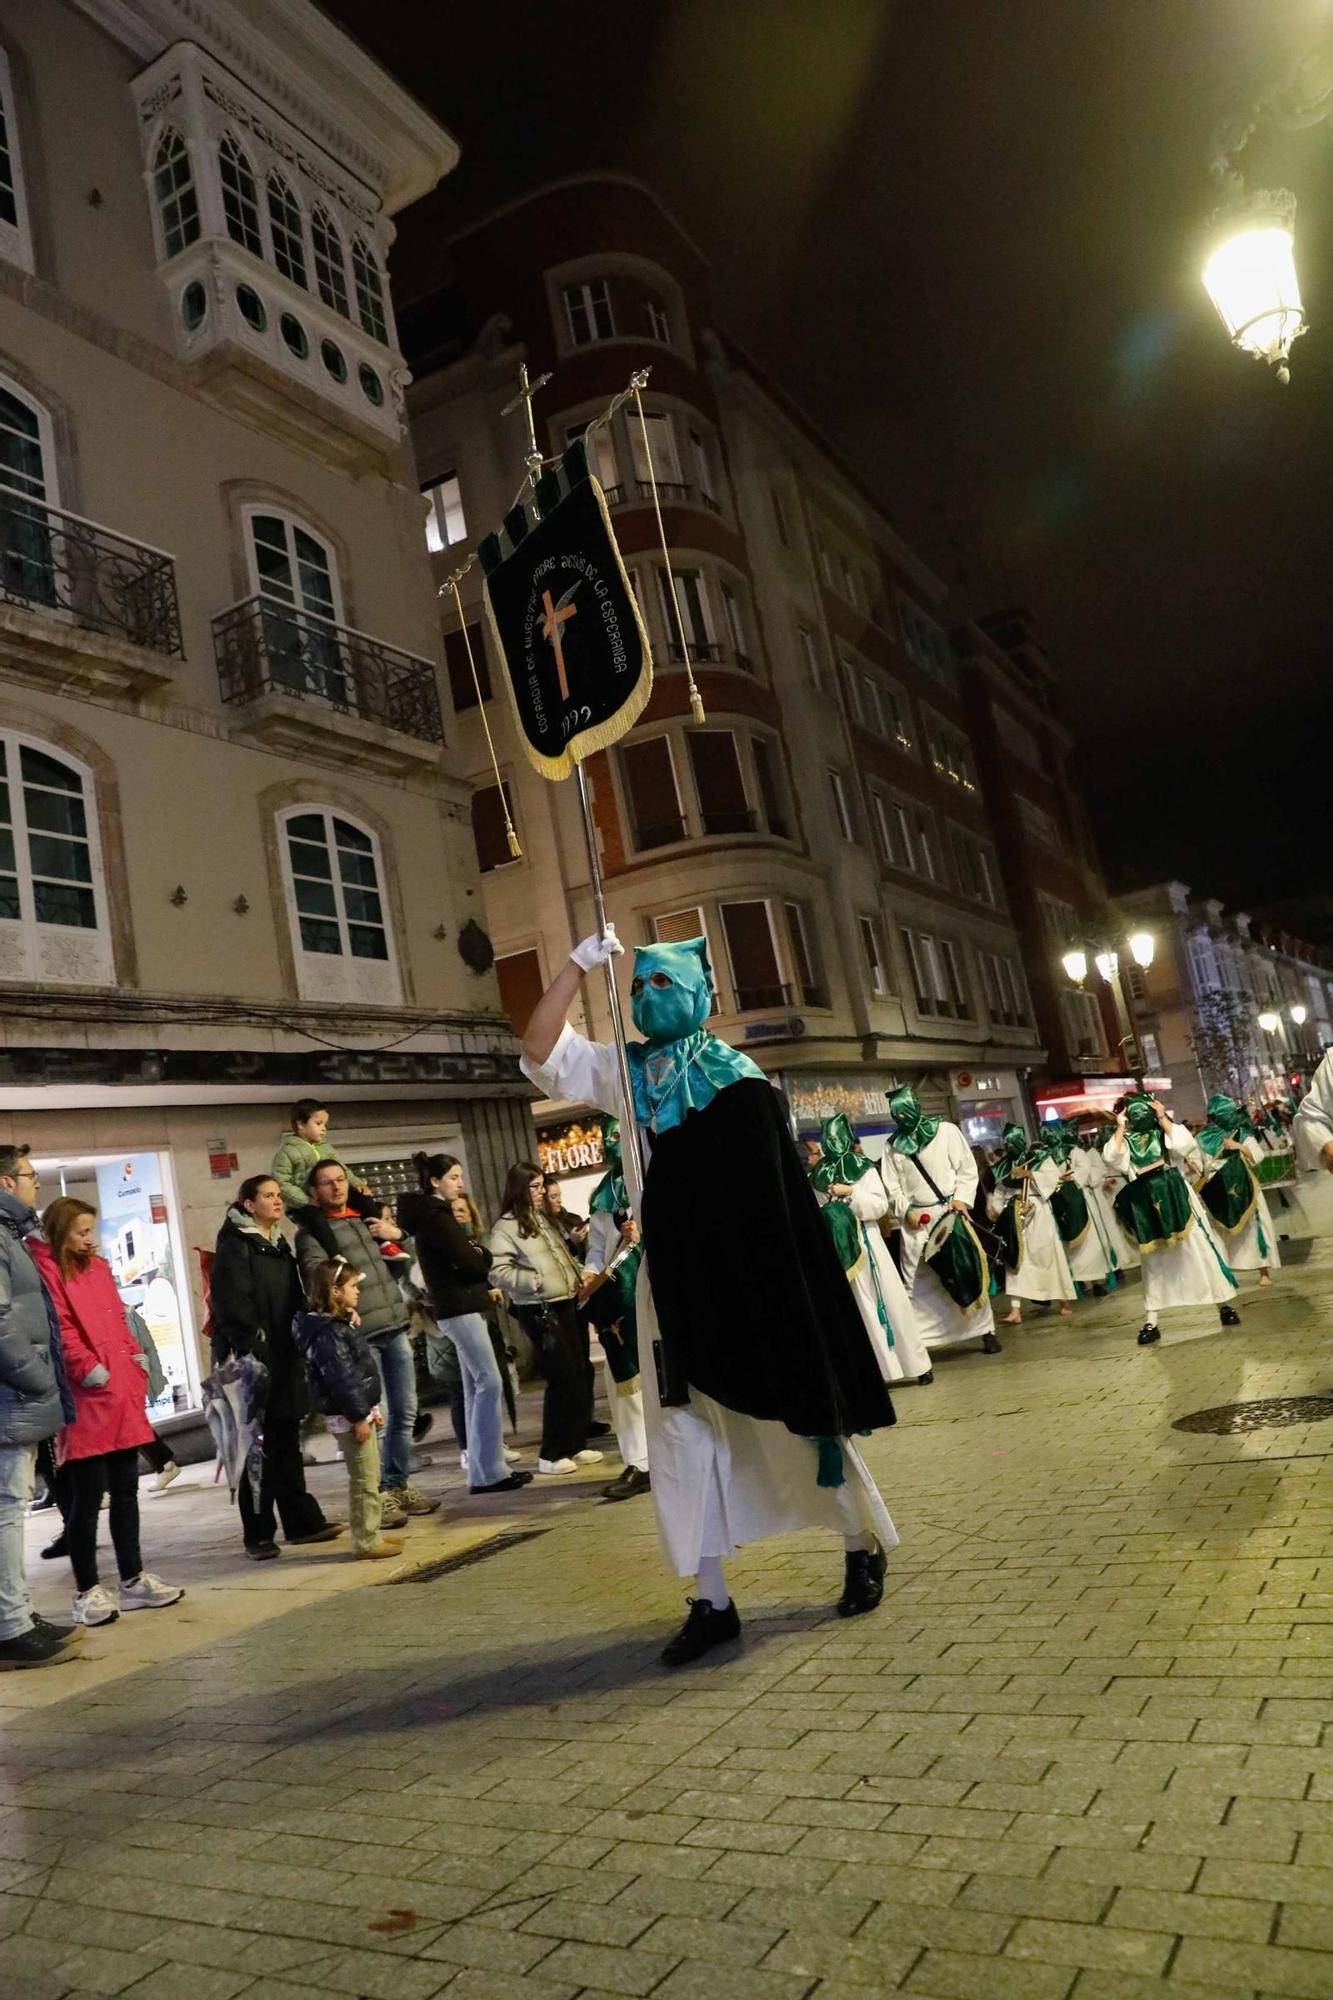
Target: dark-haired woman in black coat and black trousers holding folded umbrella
{"type": "Point", "coordinates": [255, 1299]}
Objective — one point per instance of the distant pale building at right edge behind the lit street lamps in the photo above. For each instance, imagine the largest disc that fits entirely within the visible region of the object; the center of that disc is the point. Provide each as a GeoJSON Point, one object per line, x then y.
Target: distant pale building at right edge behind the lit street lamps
{"type": "Point", "coordinates": [1230, 1005]}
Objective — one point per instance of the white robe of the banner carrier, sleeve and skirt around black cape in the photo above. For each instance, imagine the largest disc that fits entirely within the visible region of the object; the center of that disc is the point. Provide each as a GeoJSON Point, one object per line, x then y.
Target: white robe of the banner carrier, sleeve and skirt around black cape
{"type": "Point", "coordinates": [720, 1479]}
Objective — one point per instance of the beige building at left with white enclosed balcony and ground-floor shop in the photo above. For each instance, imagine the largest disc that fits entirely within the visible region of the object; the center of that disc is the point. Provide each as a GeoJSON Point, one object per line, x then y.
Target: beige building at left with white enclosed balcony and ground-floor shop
{"type": "Point", "coordinates": [235, 847]}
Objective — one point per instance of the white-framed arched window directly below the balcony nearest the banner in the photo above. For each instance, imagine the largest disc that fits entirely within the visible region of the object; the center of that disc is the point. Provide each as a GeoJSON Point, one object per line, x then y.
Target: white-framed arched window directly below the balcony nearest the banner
{"type": "Point", "coordinates": [335, 887]}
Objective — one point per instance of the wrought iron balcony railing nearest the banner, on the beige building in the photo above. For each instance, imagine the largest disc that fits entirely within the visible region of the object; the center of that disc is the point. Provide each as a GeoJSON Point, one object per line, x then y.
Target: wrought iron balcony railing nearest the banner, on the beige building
{"type": "Point", "coordinates": [269, 649]}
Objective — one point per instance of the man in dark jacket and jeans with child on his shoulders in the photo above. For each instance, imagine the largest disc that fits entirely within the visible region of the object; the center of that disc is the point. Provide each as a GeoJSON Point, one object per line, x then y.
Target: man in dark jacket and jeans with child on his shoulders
{"type": "Point", "coordinates": [327, 1227]}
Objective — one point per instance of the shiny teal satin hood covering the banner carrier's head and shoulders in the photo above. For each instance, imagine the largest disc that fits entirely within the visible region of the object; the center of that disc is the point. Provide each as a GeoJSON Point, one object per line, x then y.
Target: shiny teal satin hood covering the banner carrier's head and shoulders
{"type": "Point", "coordinates": [682, 1065]}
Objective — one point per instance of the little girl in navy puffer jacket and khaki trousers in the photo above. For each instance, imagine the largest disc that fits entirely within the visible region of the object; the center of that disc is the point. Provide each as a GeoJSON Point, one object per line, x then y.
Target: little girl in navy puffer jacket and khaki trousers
{"type": "Point", "coordinates": [347, 1387]}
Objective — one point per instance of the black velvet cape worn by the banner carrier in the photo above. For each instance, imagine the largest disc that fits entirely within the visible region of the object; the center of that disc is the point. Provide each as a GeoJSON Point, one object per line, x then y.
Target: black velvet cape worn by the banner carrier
{"type": "Point", "coordinates": [752, 1299]}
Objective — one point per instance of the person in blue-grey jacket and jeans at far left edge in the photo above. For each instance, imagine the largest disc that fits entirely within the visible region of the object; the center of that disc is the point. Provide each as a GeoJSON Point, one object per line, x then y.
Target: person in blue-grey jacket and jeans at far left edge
{"type": "Point", "coordinates": [35, 1403]}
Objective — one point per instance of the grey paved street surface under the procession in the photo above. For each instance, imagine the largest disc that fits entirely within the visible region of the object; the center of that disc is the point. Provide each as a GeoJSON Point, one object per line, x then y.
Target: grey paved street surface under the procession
{"type": "Point", "coordinates": [1078, 1753]}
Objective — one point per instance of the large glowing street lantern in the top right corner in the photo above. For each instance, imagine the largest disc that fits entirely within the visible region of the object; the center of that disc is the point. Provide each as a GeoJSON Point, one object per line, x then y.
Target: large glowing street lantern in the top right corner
{"type": "Point", "coordinates": [1250, 271]}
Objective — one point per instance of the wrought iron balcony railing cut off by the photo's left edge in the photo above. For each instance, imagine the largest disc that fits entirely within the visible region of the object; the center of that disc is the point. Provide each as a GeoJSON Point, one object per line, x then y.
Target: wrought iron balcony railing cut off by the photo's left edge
{"type": "Point", "coordinates": [89, 575]}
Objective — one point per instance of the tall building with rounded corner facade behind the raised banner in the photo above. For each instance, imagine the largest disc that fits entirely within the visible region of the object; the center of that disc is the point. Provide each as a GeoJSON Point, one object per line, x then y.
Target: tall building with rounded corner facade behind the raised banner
{"type": "Point", "coordinates": [826, 827]}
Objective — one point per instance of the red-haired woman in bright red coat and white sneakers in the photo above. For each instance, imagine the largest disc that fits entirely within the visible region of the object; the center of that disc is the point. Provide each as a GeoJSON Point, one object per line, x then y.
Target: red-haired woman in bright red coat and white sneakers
{"type": "Point", "coordinates": [99, 1451]}
